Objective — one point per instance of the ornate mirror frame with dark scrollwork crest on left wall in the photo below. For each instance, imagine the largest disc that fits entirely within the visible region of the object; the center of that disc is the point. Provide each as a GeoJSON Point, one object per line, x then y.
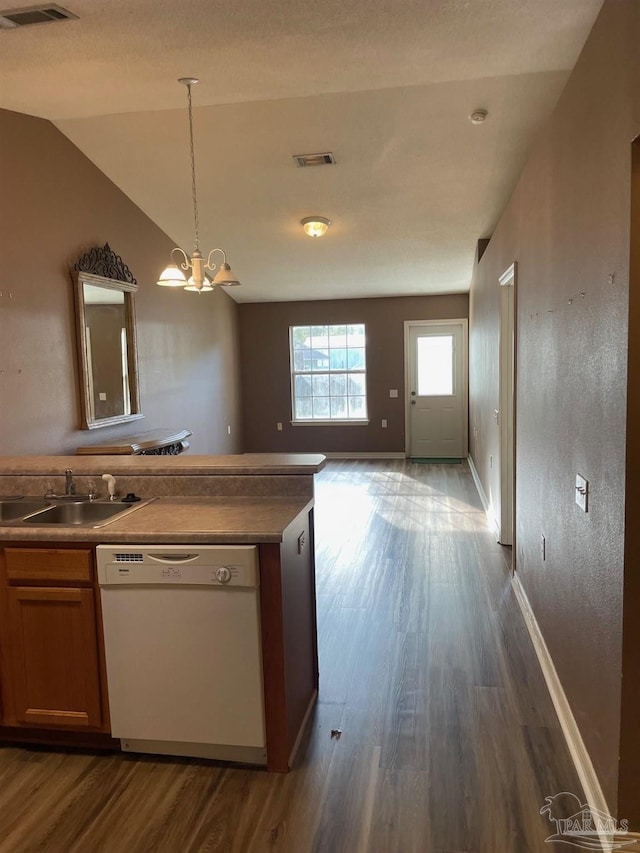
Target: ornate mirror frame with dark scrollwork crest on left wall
{"type": "Point", "coordinates": [101, 267]}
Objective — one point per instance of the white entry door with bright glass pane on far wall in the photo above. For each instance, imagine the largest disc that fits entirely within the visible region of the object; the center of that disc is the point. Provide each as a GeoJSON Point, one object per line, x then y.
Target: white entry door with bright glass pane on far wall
{"type": "Point", "coordinates": [436, 367]}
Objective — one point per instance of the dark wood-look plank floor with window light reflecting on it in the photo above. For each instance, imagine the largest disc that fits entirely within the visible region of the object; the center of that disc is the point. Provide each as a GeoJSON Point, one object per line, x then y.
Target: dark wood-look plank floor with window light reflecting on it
{"type": "Point", "coordinates": [449, 740]}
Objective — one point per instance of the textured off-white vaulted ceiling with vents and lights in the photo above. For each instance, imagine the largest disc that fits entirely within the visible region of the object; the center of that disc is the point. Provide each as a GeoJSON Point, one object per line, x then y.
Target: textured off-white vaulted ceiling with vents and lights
{"type": "Point", "coordinates": [386, 86]}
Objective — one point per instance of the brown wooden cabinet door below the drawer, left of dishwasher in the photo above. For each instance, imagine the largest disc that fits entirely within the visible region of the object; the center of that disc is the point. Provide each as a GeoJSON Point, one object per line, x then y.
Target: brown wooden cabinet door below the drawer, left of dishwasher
{"type": "Point", "coordinates": [53, 652]}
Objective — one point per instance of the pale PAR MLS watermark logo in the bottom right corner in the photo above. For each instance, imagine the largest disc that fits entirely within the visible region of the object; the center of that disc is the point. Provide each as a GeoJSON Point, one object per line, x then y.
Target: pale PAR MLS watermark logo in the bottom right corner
{"type": "Point", "coordinates": [585, 827]}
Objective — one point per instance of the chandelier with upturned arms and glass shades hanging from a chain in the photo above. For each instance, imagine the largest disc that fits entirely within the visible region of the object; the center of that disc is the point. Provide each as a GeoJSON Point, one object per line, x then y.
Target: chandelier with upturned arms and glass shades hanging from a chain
{"type": "Point", "coordinates": [173, 276]}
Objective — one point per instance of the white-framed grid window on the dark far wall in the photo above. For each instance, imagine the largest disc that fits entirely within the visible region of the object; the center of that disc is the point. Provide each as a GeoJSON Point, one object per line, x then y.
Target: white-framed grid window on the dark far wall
{"type": "Point", "coordinates": [328, 373]}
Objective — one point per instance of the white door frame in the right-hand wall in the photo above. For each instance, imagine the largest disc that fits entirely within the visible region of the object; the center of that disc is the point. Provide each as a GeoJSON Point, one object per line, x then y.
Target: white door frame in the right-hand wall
{"type": "Point", "coordinates": [506, 518]}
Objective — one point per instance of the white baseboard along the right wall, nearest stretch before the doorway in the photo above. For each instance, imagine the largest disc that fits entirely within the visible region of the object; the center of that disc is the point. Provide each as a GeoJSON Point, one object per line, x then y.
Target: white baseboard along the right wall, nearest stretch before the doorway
{"type": "Point", "coordinates": [581, 759]}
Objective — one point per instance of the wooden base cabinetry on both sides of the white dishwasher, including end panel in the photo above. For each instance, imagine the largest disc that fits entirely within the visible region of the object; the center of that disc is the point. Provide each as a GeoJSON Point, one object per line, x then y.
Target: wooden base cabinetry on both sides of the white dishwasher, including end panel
{"type": "Point", "coordinates": [53, 686]}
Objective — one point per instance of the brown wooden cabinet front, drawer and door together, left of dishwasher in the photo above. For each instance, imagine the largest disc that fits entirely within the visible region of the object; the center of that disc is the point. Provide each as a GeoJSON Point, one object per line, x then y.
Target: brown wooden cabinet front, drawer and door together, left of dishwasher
{"type": "Point", "coordinates": [50, 665]}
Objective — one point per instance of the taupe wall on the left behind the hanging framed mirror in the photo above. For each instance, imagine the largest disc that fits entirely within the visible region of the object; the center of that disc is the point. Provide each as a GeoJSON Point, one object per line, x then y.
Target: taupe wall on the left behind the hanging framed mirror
{"type": "Point", "coordinates": [55, 205]}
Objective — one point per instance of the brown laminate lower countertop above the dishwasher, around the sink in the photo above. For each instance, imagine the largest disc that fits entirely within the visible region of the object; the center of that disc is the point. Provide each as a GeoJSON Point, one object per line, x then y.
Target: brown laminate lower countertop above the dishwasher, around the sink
{"type": "Point", "coordinates": [240, 520]}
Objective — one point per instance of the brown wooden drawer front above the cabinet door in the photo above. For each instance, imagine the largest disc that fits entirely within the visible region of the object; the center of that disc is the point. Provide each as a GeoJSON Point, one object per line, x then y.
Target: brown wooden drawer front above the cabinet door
{"type": "Point", "coordinates": [59, 566]}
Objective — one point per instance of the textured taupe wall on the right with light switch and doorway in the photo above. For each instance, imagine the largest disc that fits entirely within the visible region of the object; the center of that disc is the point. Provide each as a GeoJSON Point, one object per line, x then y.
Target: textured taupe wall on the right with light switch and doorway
{"type": "Point", "coordinates": [567, 226]}
